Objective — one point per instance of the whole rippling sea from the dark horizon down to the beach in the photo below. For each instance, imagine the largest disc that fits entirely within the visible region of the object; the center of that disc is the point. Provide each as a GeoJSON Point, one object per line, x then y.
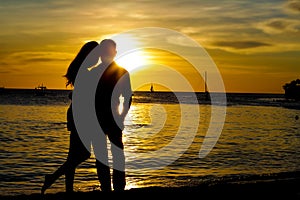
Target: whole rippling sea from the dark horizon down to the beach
{"type": "Point", "coordinates": [260, 138]}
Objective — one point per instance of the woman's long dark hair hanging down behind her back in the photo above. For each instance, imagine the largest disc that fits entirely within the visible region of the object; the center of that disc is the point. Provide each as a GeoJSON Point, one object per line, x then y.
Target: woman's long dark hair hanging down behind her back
{"type": "Point", "coordinates": [78, 60]}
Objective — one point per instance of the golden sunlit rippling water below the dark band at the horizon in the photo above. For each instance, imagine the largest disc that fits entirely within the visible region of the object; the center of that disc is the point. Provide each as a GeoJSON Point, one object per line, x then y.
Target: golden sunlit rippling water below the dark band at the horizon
{"type": "Point", "coordinates": [255, 140]}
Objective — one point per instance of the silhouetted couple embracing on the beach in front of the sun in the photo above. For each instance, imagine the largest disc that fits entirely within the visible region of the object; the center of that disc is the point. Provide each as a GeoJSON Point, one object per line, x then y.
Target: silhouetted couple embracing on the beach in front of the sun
{"type": "Point", "coordinates": [113, 89]}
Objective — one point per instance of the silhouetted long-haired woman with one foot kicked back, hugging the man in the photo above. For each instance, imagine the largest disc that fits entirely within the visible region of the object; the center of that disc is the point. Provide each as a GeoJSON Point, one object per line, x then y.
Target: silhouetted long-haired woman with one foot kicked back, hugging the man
{"type": "Point", "coordinates": [77, 151]}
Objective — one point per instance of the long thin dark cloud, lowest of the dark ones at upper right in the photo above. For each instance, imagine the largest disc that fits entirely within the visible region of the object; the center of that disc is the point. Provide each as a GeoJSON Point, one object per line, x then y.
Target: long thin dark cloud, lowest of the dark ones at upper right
{"type": "Point", "coordinates": [241, 44]}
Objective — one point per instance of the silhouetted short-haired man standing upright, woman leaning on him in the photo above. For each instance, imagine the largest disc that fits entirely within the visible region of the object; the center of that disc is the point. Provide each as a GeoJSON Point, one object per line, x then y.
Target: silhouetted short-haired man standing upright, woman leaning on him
{"type": "Point", "coordinates": [112, 102]}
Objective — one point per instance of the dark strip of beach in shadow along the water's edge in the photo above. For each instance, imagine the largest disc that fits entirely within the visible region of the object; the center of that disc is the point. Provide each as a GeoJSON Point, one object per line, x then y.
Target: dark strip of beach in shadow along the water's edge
{"type": "Point", "coordinates": [283, 188]}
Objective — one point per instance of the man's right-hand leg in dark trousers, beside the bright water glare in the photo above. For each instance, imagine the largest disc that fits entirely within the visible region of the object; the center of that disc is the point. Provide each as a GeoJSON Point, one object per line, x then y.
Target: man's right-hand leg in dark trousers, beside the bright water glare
{"type": "Point", "coordinates": [118, 156]}
